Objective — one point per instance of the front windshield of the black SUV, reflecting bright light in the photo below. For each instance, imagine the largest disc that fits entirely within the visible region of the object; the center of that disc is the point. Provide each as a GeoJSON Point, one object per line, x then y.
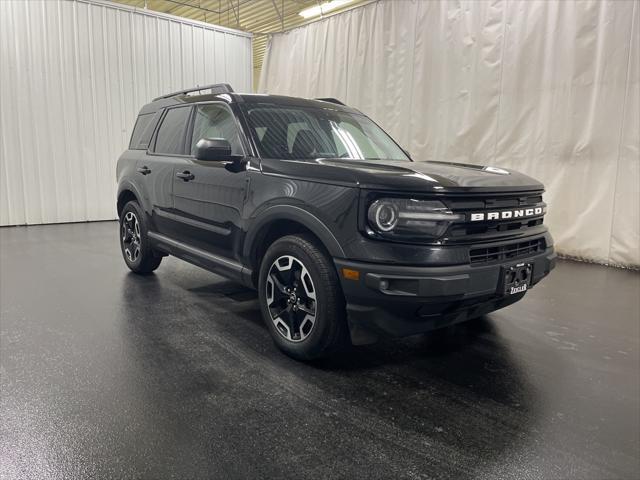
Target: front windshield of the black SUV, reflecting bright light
{"type": "Point", "coordinates": [302, 133]}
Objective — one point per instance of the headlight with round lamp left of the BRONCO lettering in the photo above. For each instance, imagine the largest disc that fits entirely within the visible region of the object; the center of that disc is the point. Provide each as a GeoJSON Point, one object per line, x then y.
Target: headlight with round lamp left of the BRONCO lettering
{"type": "Point", "coordinates": [411, 218]}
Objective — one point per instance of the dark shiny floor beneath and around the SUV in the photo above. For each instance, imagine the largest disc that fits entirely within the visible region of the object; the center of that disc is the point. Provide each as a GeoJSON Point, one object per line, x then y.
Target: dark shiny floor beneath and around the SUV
{"type": "Point", "coordinates": [105, 374]}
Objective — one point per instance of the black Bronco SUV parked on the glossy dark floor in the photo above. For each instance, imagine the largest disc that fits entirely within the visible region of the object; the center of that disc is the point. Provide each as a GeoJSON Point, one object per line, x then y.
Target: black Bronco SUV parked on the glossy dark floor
{"type": "Point", "coordinates": [344, 236]}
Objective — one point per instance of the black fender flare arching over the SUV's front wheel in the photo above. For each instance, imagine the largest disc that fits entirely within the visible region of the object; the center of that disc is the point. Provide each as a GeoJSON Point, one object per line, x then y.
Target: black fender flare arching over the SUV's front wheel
{"type": "Point", "coordinates": [296, 214]}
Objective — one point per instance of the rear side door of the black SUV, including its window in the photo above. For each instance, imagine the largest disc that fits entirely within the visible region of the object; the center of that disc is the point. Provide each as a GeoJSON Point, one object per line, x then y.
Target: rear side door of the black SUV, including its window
{"type": "Point", "coordinates": [167, 148]}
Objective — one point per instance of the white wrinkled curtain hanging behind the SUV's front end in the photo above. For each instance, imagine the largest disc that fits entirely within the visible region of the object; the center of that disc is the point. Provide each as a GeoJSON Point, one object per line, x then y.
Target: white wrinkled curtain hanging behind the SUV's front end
{"type": "Point", "coordinates": [548, 88]}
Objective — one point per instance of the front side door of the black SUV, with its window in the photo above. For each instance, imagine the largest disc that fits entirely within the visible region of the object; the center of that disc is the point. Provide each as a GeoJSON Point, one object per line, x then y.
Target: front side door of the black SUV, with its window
{"type": "Point", "coordinates": [209, 196]}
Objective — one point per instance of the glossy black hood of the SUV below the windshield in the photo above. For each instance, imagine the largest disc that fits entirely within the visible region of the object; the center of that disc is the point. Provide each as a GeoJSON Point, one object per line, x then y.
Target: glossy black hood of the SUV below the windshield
{"type": "Point", "coordinates": [398, 175]}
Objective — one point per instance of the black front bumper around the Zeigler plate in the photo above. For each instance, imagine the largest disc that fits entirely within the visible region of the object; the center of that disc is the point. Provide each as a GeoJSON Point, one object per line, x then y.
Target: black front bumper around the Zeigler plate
{"type": "Point", "coordinates": [396, 300]}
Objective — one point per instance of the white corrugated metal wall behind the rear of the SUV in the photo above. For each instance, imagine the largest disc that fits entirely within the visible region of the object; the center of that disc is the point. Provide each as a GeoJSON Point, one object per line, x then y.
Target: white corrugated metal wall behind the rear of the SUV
{"type": "Point", "coordinates": [73, 75]}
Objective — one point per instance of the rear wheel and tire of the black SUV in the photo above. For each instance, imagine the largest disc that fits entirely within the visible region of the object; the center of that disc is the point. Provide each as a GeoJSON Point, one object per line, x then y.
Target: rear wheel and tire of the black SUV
{"type": "Point", "coordinates": [134, 242]}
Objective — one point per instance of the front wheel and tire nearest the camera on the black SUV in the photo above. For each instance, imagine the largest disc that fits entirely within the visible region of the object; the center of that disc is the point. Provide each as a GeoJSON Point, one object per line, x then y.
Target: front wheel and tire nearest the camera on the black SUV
{"type": "Point", "coordinates": [301, 299]}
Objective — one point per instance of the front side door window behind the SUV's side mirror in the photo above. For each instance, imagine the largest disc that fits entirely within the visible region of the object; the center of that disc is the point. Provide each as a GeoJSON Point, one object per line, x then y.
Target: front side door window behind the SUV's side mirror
{"type": "Point", "coordinates": [215, 121]}
